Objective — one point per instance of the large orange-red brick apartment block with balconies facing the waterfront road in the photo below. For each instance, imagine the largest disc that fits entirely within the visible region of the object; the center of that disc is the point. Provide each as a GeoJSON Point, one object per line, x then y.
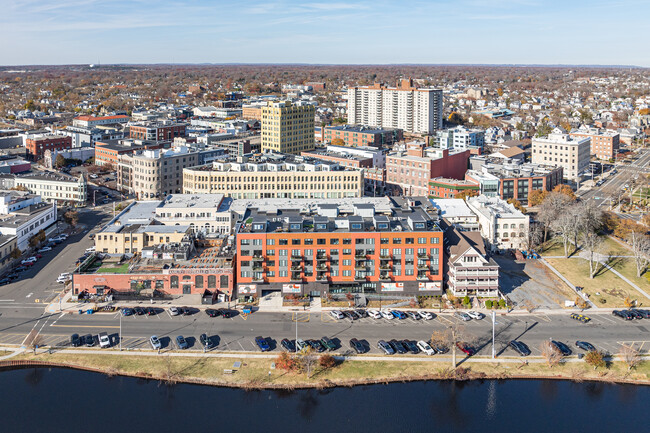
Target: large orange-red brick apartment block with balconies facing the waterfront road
{"type": "Point", "coordinates": [364, 252]}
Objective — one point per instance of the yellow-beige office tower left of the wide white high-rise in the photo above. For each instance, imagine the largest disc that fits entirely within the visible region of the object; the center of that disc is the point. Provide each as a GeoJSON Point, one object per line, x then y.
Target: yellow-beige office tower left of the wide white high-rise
{"type": "Point", "coordinates": [287, 127]}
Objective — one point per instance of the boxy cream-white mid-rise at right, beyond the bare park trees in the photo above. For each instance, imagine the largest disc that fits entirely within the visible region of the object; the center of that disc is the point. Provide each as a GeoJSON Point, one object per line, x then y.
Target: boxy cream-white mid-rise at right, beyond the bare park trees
{"type": "Point", "coordinates": [562, 150]}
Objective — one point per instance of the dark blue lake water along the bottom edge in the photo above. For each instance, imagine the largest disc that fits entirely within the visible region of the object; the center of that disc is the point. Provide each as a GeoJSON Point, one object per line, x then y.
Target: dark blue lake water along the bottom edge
{"type": "Point", "coordinates": [59, 400]}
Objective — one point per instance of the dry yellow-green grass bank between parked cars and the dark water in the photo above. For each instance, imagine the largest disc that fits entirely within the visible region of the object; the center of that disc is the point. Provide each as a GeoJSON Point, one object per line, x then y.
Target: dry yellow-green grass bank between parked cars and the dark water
{"type": "Point", "coordinates": [254, 373]}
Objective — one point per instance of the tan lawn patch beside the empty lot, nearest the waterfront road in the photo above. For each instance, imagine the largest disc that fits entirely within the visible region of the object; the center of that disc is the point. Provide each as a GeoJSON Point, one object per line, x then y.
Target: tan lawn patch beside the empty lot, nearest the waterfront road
{"type": "Point", "coordinates": [609, 286]}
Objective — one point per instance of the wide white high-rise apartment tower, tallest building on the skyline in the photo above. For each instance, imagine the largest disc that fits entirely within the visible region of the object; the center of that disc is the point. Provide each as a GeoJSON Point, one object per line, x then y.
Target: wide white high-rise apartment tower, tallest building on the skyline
{"type": "Point", "coordinates": [405, 107]}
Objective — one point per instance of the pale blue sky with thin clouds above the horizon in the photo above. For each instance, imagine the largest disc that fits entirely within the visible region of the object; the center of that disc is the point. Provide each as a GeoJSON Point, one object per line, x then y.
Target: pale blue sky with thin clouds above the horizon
{"type": "Point", "coordinates": [576, 32]}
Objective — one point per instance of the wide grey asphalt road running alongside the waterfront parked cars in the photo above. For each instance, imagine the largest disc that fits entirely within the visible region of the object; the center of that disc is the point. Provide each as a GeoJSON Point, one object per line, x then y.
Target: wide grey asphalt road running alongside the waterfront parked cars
{"type": "Point", "coordinates": [237, 333]}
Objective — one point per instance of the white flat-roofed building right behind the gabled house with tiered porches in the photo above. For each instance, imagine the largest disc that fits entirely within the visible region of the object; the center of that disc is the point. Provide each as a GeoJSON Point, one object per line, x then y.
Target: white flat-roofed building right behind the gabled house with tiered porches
{"type": "Point", "coordinates": [503, 226]}
